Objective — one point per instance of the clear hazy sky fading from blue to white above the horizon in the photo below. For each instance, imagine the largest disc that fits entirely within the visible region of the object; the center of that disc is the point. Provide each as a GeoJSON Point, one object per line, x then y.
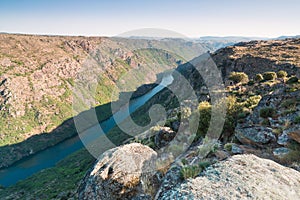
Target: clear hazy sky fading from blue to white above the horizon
{"type": "Point", "coordinates": [193, 18]}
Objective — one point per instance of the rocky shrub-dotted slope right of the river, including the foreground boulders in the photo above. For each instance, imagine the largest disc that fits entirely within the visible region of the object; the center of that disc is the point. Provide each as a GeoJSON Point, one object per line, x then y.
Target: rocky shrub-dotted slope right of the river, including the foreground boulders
{"type": "Point", "coordinates": [262, 124]}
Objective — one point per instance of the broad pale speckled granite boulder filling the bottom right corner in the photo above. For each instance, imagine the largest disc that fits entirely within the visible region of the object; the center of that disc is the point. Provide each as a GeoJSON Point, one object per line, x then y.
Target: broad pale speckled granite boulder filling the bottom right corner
{"type": "Point", "coordinates": [239, 177]}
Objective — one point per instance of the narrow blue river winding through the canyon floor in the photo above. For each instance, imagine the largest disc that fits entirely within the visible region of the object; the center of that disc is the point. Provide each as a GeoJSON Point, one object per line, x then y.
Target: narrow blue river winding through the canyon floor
{"type": "Point", "coordinates": [51, 156]}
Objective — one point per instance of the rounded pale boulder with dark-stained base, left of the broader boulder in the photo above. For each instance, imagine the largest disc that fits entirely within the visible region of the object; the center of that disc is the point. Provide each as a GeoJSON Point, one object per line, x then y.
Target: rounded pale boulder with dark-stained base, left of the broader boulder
{"type": "Point", "coordinates": [125, 172]}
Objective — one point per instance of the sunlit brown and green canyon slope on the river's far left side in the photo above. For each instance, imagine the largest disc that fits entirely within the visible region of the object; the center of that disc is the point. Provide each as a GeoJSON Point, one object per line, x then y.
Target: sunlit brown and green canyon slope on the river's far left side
{"type": "Point", "coordinates": [37, 74]}
